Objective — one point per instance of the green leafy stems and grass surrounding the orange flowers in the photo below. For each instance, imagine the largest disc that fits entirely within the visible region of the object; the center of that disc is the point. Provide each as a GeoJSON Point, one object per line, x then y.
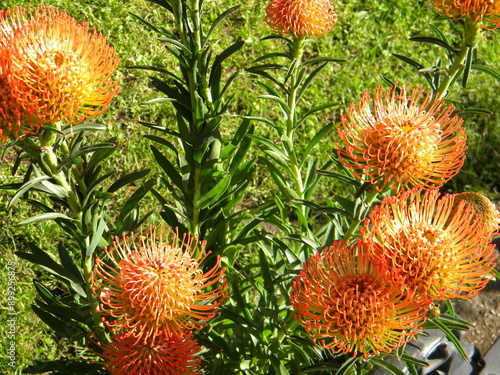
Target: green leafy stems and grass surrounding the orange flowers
{"type": "Point", "coordinates": [221, 175]}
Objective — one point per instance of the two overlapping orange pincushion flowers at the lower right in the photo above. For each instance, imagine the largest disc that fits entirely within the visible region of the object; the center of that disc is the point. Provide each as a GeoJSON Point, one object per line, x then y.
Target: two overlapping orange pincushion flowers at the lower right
{"type": "Point", "coordinates": [372, 296]}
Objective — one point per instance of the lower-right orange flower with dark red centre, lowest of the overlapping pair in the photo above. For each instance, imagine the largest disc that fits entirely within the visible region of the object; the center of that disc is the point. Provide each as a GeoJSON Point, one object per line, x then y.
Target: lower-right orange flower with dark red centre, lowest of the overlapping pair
{"type": "Point", "coordinates": [346, 303]}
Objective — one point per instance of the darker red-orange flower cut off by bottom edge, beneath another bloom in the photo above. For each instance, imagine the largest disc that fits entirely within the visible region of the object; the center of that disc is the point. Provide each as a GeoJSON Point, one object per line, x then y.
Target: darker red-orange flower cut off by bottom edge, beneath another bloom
{"type": "Point", "coordinates": [168, 355]}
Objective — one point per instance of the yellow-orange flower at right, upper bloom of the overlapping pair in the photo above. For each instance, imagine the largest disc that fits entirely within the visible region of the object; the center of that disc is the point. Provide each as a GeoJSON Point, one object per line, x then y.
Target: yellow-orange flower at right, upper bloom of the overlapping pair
{"type": "Point", "coordinates": [438, 252]}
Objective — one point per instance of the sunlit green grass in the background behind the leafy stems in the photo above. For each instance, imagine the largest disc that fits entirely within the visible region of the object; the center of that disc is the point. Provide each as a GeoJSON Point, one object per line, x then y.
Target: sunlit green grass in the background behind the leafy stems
{"type": "Point", "coordinates": [366, 35]}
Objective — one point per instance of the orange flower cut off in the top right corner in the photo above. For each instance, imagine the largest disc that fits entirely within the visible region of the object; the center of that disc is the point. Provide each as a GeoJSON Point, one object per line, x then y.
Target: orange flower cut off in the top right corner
{"type": "Point", "coordinates": [483, 11]}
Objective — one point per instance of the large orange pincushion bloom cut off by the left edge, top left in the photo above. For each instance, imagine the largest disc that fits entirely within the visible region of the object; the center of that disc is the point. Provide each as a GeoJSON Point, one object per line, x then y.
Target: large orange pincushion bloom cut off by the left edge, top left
{"type": "Point", "coordinates": [52, 68]}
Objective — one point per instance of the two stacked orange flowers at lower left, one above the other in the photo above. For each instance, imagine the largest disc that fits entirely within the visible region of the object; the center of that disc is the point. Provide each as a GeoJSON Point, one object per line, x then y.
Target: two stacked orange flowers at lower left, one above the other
{"type": "Point", "coordinates": [152, 293]}
